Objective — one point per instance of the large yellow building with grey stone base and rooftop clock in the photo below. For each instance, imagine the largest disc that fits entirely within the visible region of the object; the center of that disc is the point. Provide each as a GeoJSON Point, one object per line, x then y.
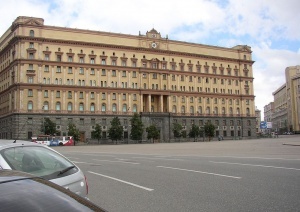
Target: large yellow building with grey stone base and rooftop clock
{"type": "Point", "coordinates": [89, 77]}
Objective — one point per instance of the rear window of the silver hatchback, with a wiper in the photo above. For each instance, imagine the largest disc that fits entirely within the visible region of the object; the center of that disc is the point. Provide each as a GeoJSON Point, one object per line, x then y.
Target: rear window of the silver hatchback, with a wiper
{"type": "Point", "coordinates": [39, 161]}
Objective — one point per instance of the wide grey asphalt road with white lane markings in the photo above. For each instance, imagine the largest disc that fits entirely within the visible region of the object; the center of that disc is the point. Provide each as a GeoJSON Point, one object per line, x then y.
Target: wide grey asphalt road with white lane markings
{"type": "Point", "coordinates": [245, 175]}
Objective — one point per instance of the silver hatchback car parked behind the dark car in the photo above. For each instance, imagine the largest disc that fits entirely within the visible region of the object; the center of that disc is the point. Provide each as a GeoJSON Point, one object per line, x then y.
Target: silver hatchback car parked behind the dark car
{"type": "Point", "coordinates": [42, 161]}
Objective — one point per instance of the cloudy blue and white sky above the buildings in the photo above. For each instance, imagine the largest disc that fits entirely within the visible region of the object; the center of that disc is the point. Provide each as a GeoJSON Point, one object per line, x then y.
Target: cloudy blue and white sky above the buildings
{"type": "Point", "coordinates": [269, 27]}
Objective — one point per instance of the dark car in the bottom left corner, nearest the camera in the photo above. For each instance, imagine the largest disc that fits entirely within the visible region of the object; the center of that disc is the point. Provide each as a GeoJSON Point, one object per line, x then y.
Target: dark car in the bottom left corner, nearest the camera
{"type": "Point", "coordinates": [25, 192]}
